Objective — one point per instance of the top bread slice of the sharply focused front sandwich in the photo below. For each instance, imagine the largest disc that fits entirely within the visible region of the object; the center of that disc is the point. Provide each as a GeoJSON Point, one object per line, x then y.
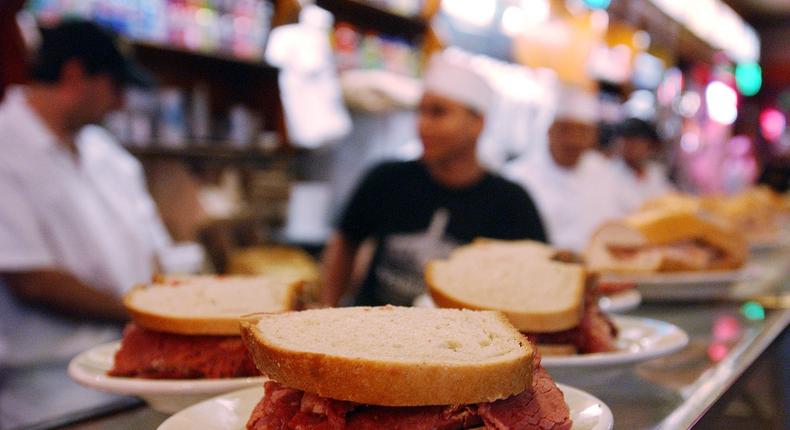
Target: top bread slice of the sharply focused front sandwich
{"type": "Point", "coordinates": [393, 356]}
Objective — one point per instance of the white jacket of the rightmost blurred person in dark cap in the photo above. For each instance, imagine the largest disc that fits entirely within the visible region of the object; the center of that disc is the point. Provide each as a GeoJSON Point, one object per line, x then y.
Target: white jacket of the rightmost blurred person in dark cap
{"type": "Point", "coordinates": [635, 190]}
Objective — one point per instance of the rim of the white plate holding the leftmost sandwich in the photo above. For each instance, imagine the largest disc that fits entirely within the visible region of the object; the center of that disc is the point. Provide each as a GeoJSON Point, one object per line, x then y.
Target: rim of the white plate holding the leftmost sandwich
{"type": "Point", "coordinates": [83, 371]}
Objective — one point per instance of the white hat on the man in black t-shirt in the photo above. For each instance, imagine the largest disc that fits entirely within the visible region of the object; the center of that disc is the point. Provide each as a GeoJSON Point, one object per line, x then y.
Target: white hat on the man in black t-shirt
{"type": "Point", "coordinates": [454, 77]}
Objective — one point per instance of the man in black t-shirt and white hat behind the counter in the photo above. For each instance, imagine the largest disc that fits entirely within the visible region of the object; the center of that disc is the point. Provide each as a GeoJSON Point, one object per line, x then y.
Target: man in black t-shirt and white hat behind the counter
{"type": "Point", "coordinates": [421, 210]}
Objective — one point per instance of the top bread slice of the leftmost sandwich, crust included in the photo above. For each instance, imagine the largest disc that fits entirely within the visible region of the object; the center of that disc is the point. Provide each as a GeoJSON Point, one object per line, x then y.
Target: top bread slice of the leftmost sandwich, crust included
{"type": "Point", "coordinates": [208, 305]}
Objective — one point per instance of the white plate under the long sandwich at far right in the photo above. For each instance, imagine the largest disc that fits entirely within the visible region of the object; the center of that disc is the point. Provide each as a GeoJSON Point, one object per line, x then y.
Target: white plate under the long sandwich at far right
{"type": "Point", "coordinates": [687, 285]}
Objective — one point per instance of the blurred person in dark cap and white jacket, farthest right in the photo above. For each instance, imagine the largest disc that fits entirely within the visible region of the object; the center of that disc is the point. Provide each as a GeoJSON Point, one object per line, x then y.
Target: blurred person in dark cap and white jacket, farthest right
{"type": "Point", "coordinates": [638, 176]}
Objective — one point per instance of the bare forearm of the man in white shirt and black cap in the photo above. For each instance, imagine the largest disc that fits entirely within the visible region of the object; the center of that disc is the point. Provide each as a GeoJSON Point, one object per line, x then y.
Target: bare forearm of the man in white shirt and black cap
{"type": "Point", "coordinates": [63, 292]}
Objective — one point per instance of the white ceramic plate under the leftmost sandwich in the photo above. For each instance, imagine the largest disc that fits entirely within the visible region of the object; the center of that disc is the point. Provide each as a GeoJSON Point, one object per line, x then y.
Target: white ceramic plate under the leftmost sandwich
{"type": "Point", "coordinates": [165, 395]}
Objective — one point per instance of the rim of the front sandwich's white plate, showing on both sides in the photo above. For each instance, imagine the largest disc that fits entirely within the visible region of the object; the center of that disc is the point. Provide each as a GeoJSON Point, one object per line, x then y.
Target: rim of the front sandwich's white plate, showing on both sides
{"type": "Point", "coordinates": [605, 421]}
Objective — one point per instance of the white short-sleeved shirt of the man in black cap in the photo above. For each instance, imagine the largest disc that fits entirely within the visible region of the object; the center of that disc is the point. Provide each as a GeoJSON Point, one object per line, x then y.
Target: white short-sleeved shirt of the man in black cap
{"type": "Point", "coordinates": [58, 212]}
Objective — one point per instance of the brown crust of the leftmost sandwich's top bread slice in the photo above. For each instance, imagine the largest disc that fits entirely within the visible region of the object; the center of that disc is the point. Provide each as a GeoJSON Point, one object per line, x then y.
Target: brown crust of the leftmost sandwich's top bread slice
{"type": "Point", "coordinates": [216, 326]}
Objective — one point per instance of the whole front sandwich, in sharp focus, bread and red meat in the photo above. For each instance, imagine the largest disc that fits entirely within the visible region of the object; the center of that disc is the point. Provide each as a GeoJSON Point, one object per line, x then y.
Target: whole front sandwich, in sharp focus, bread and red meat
{"type": "Point", "coordinates": [399, 368]}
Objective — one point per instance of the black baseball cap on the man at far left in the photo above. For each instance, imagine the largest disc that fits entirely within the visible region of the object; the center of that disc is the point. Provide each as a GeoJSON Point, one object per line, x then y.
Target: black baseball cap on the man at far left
{"type": "Point", "coordinates": [95, 47]}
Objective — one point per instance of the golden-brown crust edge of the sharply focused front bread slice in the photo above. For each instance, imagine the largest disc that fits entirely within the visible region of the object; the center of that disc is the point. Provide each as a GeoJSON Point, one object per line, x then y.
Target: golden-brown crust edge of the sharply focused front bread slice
{"type": "Point", "coordinates": [387, 383]}
